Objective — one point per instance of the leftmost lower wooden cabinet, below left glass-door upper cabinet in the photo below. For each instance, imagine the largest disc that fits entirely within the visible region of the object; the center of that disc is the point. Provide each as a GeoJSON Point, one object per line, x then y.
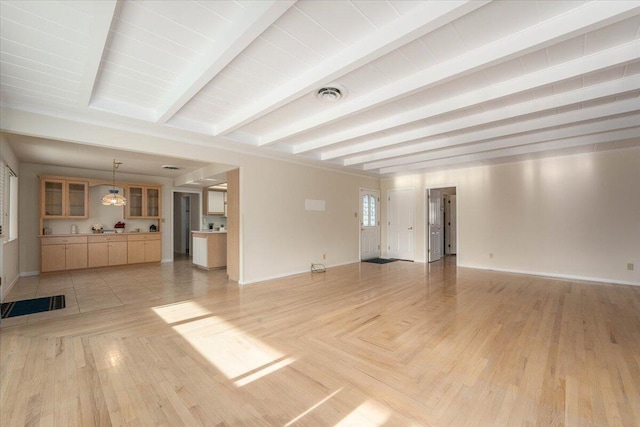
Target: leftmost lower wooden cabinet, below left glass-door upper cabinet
{"type": "Point", "coordinates": [63, 253]}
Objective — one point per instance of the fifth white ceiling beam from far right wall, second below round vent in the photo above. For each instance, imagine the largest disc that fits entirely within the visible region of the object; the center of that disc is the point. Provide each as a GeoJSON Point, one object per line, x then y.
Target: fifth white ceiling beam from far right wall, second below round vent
{"type": "Point", "coordinates": [588, 64]}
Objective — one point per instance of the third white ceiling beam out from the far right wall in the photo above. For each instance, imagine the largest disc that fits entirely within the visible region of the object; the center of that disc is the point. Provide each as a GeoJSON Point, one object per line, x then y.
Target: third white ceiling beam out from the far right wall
{"type": "Point", "coordinates": [413, 153]}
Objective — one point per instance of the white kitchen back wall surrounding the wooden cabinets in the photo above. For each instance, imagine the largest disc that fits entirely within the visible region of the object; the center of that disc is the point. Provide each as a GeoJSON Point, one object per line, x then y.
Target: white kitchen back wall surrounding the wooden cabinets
{"type": "Point", "coordinates": [29, 210]}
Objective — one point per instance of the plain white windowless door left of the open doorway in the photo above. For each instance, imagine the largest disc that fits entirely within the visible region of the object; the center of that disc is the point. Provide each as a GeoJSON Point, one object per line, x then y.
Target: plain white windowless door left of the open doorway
{"type": "Point", "coordinates": [401, 224]}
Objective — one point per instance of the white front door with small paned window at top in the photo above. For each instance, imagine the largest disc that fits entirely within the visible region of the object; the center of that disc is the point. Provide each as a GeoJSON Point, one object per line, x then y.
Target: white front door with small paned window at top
{"type": "Point", "coordinates": [369, 223]}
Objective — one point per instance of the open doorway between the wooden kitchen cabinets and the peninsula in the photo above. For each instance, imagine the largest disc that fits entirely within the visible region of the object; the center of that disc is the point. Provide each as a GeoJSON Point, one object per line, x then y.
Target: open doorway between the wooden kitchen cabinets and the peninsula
{"type": "Point", "coordinates": [186, 218]}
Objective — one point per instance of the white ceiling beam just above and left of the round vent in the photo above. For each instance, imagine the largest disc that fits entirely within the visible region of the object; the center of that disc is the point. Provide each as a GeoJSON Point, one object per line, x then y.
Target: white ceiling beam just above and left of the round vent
{"type": "Point", "coordinates": [425, 19]}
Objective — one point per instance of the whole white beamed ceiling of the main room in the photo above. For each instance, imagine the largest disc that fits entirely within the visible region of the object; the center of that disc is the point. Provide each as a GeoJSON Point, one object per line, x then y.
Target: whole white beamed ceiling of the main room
{"type": "Point", "coordinates": [429, 85]}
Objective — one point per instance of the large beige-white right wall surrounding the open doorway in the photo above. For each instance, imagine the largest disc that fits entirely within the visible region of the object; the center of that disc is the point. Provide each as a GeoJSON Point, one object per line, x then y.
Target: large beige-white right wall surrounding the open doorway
{"type": "Point", "coordinates": [574, 216]}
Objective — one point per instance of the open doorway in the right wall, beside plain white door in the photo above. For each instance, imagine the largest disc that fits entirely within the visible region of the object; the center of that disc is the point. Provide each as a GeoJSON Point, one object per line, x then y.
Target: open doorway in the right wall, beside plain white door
{"type": "Point", "coordinates": [442, 223]}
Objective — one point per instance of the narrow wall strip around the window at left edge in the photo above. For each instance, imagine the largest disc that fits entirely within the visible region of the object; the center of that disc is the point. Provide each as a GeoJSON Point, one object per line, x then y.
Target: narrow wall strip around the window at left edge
{"type": "Point", "coordinates": [9, 253]}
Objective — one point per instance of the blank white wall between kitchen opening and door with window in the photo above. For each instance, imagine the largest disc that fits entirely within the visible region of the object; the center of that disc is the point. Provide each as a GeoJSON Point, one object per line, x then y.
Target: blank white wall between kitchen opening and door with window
{"type": "Point", "coordinates": [279, 236]}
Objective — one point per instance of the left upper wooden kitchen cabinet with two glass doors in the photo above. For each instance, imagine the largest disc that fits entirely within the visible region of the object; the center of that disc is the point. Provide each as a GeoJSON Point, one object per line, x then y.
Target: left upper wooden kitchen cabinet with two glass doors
{"type": "Point", "coordinates": [63, 198]}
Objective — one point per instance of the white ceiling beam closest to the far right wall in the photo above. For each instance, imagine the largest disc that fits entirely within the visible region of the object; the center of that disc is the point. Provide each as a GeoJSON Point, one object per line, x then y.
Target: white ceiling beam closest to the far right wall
{"type": "Point", "coordinates": [579, 141]}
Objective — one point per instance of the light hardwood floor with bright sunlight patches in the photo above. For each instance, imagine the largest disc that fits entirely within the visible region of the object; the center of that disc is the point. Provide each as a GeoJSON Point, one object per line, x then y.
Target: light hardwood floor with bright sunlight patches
{"type": "Point", "coordinates": [397, 344]}
